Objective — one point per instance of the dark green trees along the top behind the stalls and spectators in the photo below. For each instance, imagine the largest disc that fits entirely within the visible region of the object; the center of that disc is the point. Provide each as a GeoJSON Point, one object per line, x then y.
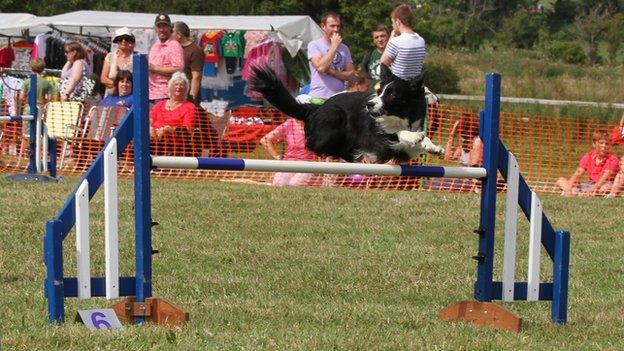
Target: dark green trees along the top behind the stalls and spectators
{"type": "Point", "coordinates": [573, 31]}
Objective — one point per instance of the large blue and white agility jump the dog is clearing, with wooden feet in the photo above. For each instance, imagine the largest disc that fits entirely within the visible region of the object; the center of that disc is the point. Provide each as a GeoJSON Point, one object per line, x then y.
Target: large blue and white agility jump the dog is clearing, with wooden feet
{"type": "Point", "coordinates": [141, 307]}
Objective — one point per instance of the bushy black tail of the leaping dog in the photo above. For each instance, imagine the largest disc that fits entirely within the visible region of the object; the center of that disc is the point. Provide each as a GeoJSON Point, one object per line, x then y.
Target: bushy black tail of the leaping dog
{"type": "Point", "coordinates": [265, 81]}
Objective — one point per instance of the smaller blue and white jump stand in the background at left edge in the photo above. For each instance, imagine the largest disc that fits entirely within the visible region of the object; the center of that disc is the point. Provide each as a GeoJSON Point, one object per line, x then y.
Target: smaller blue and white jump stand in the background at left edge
{"type": "Point", "coordinates": [42, 150]}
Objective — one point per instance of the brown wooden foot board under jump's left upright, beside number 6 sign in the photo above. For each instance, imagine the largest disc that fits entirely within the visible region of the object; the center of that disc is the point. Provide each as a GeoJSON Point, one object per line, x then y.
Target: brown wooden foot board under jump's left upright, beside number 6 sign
{"type": "Point", "coordinates": [155, 310]}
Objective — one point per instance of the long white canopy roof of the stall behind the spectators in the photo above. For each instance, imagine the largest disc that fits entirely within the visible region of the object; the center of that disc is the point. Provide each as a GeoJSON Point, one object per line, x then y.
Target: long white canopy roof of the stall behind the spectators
{"type": "Point", "coordinates": [293, 31]}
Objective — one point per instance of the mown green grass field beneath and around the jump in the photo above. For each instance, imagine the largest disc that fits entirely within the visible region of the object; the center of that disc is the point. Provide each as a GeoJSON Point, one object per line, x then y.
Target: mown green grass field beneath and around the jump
{"type": "Point", "coordinates": [281, 268]}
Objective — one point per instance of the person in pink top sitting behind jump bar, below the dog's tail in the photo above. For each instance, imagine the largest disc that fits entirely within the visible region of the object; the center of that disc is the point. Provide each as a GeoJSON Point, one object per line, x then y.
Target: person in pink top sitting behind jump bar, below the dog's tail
{"type": "Point", "coordinates": [292, 134]}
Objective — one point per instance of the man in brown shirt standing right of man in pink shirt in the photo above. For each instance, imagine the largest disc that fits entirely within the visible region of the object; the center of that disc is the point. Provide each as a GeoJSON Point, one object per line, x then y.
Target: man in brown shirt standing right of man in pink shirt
{"type": "Point", "coordinates": [193, 59]}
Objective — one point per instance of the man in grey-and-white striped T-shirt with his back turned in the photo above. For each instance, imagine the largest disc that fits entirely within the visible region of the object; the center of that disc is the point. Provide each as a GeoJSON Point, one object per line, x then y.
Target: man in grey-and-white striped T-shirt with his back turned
{"type": "Point", "coordinates": [405, 52]}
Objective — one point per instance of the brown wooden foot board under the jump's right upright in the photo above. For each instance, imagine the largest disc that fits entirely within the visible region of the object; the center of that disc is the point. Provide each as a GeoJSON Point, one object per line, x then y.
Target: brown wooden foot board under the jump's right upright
{"type": "Point", "coordinates": [482, 314]}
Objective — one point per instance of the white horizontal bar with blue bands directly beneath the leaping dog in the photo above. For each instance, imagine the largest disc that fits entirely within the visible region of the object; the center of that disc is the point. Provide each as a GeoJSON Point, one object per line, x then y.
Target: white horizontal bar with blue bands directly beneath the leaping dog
{"type": "Point", "coordinates": [235, 164]}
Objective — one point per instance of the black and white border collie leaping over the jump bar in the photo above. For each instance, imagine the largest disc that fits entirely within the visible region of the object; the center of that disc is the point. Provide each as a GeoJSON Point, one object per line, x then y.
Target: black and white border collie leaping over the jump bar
{"type": "Point", "coordinates": [350, 126]}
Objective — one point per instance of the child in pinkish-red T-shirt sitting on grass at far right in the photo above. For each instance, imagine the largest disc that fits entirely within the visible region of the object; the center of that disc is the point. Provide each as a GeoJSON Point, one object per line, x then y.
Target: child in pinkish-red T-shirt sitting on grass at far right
{"type": "Point", "coordinates": [601, 166]}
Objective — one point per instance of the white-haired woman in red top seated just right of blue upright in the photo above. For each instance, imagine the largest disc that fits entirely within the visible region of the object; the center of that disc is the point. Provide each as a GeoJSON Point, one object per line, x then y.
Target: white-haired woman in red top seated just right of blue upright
{"type": "Point", "coordinates": [175, 112]}
